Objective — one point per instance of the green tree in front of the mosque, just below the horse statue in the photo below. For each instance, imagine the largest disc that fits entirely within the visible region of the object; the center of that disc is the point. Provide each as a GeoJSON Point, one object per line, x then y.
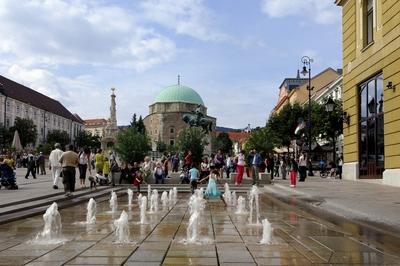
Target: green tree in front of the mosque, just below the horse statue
{"type": "Point", "coordinates": [192, 139]}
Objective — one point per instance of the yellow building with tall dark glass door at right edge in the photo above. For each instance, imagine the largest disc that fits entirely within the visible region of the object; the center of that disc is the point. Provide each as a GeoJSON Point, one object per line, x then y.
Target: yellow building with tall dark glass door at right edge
{"type": "Point", "coordinates": [371, 72]}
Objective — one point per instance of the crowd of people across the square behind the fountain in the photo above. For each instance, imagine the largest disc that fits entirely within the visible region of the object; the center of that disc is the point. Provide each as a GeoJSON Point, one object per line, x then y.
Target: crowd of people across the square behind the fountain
{"type": "Point", "coordinates": [103, 169]}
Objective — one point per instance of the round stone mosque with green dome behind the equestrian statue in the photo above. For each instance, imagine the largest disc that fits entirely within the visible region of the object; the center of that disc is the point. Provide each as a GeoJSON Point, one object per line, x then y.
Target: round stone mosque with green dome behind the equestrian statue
{"type": "Point", "coordinates": [164, 122]}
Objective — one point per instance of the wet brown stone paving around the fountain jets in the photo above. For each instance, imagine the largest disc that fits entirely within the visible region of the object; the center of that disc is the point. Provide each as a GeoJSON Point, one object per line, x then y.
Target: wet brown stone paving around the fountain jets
{"type": "Point", "coordinates": [298, 239]}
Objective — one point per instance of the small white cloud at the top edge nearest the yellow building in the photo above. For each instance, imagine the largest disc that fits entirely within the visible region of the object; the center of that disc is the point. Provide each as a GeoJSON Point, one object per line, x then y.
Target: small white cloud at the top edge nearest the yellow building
{"type": "Point", "coordinates": [320, 11]}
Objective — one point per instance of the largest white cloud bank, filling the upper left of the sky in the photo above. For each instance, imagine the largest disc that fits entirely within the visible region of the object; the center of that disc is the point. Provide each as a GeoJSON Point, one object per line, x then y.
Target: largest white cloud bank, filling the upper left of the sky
{"type": "Point", "coordinates": [61, 32]}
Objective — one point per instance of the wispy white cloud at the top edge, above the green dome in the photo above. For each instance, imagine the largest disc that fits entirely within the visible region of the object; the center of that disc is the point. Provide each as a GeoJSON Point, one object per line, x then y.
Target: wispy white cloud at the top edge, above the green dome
{"type": "Point", "coordinates": [185, 17]}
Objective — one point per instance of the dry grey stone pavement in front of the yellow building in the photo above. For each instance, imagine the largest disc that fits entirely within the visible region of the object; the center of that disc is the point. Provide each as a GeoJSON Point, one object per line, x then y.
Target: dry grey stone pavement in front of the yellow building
{"type": "Point", "coordinates": [367, 202]}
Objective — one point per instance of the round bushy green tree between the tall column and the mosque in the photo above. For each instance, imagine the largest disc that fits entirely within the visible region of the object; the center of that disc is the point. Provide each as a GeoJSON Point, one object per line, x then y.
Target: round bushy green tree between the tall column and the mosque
{"type": "Point", "coordinates": [132, 146]}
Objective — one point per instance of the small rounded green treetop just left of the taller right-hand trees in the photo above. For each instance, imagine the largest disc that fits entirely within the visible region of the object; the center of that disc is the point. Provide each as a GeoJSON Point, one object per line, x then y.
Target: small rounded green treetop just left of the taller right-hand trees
{"type": "Point", "coordinates": [261, 139]}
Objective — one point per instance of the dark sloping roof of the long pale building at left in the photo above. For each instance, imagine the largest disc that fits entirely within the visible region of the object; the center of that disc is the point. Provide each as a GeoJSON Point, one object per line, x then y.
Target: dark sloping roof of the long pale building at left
{"type": "Point", "coordinates": [29, 96]}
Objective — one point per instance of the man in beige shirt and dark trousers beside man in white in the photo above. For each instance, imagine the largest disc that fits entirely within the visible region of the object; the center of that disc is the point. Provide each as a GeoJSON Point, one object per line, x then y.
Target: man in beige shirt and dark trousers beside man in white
{"type": "Point", "coordinates": [69, 161]}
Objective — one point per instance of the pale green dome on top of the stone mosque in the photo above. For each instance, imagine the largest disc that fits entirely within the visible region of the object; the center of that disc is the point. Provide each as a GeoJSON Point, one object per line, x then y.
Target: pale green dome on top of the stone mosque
{"type": "Point", "coordinates": [179, 93]}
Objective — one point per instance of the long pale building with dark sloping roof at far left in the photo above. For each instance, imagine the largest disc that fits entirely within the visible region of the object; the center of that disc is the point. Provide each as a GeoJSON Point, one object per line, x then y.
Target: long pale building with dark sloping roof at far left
{"type": "Point", "coordinates": [17, 100]}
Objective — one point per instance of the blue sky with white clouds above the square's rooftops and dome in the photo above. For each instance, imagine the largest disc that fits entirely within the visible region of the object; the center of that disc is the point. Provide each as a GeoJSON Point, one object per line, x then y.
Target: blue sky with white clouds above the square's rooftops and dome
{"type": "Point", "coordinates": [234, 53]}
